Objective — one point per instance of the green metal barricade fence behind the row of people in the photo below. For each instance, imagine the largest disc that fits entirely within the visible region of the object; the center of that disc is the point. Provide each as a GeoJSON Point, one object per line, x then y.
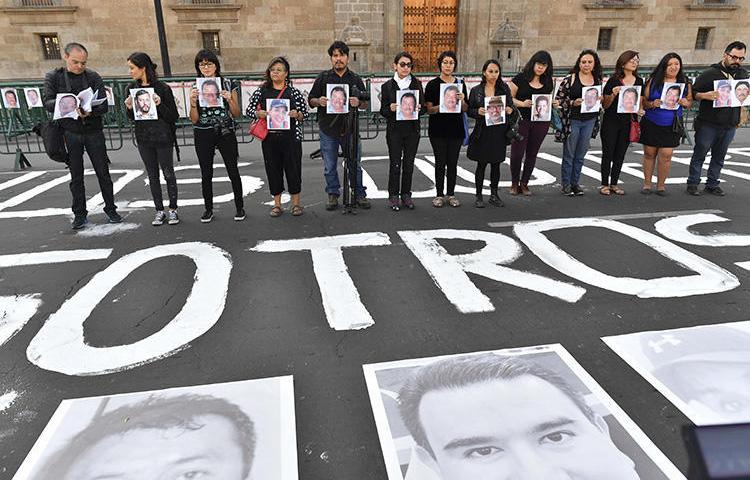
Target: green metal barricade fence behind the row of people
{"type": "Point", "coordinates": [16, 125]}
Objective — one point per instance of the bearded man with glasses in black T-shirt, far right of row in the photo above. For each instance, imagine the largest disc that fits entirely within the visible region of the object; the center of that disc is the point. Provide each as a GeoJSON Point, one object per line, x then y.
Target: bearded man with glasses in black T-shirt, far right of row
{"type": "Point", "coordinates": [715, 127]}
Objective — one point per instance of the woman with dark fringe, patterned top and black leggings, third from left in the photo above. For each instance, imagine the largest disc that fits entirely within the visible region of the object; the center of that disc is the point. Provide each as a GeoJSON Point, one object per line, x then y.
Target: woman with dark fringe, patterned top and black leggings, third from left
{"type": "Point", "coordinates": [213, 128]}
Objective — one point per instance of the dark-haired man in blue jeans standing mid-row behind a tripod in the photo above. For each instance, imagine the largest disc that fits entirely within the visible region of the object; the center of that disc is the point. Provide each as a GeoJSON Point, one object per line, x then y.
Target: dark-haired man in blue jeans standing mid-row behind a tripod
{"type": "Point", "coordinates": [333, 127]}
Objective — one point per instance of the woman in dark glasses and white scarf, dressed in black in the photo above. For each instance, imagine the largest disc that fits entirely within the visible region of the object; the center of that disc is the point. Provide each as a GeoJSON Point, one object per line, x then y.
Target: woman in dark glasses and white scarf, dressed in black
{"type": "Point", "coordinates": [402, 136]}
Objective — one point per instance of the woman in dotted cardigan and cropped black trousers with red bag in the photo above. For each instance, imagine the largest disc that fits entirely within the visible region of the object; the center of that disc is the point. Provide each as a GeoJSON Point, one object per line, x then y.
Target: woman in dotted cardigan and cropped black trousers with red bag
{"type": "Point", "coordinates": [282, 149]}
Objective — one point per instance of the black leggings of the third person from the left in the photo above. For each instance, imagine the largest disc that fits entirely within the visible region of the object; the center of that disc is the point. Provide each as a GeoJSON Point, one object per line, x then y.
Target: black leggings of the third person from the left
{"type": "Point", "coordinates": [206, 143]}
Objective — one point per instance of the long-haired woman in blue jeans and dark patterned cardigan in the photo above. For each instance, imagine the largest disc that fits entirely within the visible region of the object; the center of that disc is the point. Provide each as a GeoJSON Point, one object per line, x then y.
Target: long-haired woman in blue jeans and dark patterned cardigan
{"type": "Point", "coordinates": [578, 128]}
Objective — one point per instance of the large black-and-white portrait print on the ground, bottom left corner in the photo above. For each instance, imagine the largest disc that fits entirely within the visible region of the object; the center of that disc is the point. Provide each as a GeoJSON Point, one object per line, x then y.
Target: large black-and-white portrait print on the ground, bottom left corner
{"type": "Point", "coordinates": [230, 431]}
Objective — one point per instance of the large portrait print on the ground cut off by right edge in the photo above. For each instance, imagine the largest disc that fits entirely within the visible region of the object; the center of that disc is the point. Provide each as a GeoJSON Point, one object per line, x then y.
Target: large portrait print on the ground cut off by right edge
{"type": "Point", "coordinates": [704, 371]}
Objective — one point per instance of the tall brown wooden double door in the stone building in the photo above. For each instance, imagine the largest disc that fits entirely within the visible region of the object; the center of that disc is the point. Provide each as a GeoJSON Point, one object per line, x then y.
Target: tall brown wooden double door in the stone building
{"type": "Point", "coordinates": [430, 27]}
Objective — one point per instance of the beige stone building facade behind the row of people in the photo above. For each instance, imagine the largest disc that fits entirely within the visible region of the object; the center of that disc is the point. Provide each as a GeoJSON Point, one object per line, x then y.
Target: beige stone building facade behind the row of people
{"type": "Point", "coordinates": [249, 32]}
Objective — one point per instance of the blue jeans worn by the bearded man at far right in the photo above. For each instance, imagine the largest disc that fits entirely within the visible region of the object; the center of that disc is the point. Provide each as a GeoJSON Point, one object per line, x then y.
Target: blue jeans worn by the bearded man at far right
{"type": "Point", "coordinates": [709, 137]}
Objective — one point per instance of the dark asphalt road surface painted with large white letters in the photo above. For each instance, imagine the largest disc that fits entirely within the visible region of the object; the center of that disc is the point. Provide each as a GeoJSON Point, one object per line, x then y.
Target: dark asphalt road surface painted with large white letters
{"type": "Point", "coordinates": [279, 320]}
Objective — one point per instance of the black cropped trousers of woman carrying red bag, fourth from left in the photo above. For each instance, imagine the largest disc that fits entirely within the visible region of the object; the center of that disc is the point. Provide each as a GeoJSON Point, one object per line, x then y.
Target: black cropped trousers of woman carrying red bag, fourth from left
{"type": "Point", "coordinates": [282, 154]}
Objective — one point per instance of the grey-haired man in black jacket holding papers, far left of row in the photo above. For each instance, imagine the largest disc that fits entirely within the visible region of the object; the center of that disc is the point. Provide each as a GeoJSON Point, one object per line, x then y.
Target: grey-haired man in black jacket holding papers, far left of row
{"type": "Point", "coordinates": [85, 133]}
